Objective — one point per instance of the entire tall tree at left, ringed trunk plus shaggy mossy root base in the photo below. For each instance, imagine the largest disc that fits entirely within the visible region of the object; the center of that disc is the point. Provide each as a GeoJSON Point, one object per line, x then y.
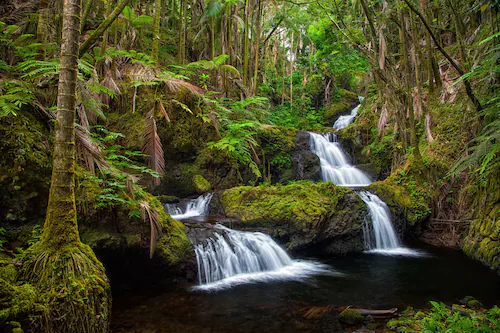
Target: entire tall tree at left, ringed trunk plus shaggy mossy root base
{"type": "Point", "coordinates": [70, 280]}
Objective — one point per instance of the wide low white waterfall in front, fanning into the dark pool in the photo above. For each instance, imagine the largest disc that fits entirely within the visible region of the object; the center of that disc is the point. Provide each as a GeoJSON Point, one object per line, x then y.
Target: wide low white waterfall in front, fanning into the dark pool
{"type": "Point", "coordinates": [237, 257]}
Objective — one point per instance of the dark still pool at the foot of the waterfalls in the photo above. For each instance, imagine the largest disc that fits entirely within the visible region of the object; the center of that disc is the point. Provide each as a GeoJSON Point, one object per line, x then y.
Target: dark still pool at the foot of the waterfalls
{"type": "Point", "coordinates": [369, 280]}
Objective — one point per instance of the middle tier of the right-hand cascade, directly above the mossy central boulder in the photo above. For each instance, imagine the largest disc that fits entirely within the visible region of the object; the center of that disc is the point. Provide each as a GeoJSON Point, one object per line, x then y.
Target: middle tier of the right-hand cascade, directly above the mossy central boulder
{"type": "Point", "coordinates": [334, 162]}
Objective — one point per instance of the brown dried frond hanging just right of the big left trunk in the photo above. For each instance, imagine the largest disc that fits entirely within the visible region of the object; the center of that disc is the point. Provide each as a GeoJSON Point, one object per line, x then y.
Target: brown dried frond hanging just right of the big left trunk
{"type": "Point", "coordinates": [90, 151]}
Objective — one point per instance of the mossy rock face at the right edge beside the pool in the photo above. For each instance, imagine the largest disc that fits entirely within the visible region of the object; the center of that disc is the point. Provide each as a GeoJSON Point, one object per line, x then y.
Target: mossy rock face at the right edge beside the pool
{"type": "Point", "coordinates": [483, 240]}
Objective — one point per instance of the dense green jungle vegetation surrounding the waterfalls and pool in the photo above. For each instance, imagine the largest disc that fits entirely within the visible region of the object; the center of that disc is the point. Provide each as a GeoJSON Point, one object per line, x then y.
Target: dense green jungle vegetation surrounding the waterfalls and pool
{"type": "Point", "coordinates": [111, 108]}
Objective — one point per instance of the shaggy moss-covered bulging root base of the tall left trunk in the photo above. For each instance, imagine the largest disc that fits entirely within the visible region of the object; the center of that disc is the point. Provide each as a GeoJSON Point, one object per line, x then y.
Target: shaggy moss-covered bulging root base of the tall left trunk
{"type": "Point", "coordinates": [73, 286]}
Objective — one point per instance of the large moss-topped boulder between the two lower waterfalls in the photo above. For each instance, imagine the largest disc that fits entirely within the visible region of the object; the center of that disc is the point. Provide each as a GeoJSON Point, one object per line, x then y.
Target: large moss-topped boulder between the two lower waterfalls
{"type": "Point", "coordinates": [301, 215]}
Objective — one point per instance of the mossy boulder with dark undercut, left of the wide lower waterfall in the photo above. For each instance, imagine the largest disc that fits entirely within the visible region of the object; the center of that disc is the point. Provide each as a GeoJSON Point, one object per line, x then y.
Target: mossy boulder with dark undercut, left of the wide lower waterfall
{"type": "Point", "coordinates": [122, 243]}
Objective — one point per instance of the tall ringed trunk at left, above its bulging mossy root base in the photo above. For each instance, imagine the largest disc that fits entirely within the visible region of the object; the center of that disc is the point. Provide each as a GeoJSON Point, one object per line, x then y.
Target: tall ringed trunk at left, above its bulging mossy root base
{"type": "Point", "coordinates": [60, 226]}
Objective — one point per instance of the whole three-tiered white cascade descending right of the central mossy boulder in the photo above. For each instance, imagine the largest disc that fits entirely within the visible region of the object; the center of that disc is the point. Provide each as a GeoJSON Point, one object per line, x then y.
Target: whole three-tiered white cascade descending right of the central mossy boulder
{"type": "Point", "coordinates": [336, 168]}
